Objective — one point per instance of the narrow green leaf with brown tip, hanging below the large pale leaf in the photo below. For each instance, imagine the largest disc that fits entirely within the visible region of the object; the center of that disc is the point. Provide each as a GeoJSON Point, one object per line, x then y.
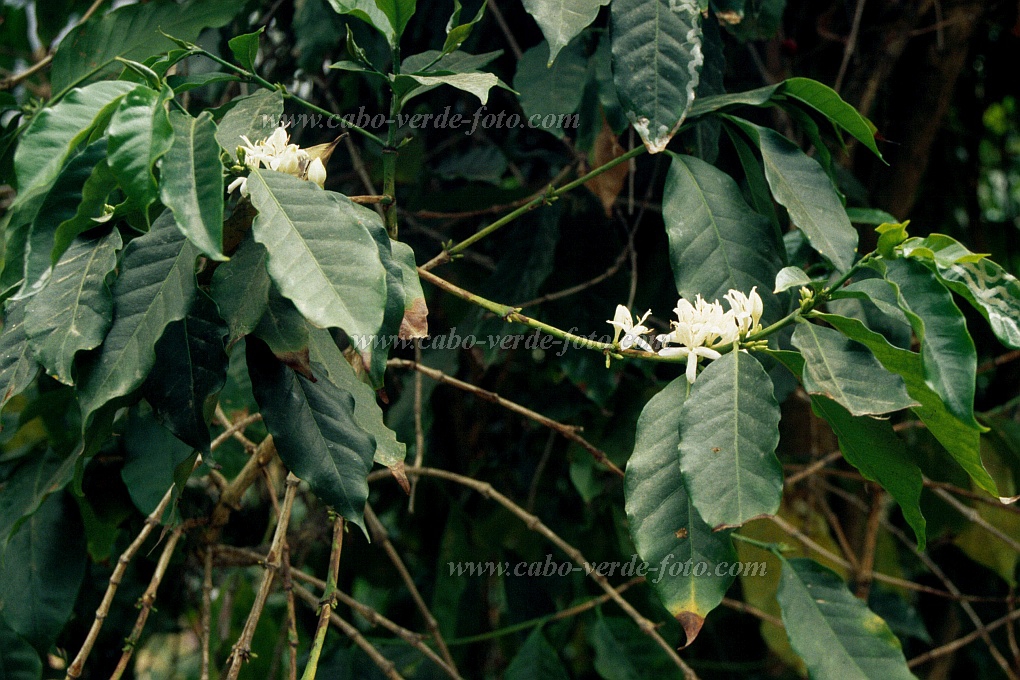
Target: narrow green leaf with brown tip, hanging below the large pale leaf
{"type": "Point", "coordinates": [324, 351]}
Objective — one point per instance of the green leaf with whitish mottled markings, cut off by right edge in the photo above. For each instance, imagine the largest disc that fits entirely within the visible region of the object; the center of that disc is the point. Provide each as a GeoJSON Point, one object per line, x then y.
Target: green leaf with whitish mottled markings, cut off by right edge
{"type": "Point", "coordinates": [990, 289]}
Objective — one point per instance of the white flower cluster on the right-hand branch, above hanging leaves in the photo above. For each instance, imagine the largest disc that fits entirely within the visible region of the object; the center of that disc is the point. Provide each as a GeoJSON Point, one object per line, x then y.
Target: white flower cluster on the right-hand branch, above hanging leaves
{"type": "Point", "coordinates": [701, 329]}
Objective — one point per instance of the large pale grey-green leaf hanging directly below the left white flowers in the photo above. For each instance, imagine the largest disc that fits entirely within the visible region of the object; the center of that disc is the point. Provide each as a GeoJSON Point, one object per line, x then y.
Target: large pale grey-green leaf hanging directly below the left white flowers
{"type": "Point", "coordinates": [322, 255]}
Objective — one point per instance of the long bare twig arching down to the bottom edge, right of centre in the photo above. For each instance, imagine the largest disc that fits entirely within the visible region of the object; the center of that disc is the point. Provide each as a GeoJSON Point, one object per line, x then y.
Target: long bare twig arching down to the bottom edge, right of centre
{"type": "Point", "coordinates": [535, 525]}
